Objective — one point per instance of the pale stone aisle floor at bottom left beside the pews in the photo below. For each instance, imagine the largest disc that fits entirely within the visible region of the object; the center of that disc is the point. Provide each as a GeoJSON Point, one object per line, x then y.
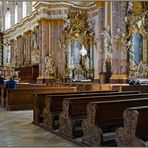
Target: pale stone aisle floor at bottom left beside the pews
{"type": "Point", "coordinates": [16, 129]}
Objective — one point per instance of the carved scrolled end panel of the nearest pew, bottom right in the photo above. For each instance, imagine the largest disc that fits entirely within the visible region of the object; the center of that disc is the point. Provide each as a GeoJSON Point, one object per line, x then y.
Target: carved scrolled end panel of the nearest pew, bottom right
{"type": "Point", "coordinates": [126, 136]}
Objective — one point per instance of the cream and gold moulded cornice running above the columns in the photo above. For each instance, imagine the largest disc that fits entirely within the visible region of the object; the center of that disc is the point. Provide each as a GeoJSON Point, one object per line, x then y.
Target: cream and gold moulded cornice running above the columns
{"type": "Point", "coordinates": [44, 10]}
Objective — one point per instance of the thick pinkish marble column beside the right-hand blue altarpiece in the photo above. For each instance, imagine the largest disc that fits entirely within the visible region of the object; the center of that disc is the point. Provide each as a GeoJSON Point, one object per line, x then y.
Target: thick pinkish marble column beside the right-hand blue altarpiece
{"type": "Point", "coordinates": [119, 50]}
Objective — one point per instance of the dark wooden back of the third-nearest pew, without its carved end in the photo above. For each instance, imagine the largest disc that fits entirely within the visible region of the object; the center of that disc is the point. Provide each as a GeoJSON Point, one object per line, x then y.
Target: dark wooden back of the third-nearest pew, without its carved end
{"type": "Point", "coordinates": [77, 106]}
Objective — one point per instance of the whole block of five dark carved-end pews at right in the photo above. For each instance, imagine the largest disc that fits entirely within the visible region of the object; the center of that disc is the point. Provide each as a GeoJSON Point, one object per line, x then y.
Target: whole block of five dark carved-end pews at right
{"type": "Point", "coordinates": [101, 118]}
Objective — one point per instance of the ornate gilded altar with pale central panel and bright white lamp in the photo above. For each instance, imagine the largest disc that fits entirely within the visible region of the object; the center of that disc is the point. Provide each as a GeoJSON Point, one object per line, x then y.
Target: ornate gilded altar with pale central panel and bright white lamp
{"type": "Point", "coordinates": [78, 43]}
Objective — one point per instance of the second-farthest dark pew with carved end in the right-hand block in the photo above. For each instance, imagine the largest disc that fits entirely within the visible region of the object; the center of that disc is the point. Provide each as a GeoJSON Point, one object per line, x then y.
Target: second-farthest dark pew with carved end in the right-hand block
{"type": "Point", "coordinates": [54, 106]}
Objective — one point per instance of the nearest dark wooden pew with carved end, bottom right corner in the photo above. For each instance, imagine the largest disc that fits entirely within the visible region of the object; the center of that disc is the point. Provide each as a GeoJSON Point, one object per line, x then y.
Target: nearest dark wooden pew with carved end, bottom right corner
{"type": "Point", "coordinates": [135, 130]}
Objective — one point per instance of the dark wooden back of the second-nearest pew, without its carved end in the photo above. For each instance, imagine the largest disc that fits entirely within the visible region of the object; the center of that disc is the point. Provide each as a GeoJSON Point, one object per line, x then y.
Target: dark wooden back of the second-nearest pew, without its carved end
{"type": "Point", "coordinates": [110, 112]}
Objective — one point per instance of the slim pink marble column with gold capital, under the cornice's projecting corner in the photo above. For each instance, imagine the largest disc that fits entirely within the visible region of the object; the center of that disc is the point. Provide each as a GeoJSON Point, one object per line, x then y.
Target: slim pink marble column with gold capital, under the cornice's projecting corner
{"type": "Point", "coordinates": [43, 44]}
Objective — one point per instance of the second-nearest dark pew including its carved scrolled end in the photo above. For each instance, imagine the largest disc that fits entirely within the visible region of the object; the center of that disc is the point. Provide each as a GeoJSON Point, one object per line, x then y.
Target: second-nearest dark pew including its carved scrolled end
{"type": "Point", "coordinates": [105, 115]}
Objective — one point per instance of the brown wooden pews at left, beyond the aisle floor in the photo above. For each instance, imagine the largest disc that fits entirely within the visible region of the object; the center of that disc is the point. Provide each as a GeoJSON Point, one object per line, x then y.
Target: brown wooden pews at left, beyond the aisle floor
{"type": "Point", "coordinates": [22, 98]}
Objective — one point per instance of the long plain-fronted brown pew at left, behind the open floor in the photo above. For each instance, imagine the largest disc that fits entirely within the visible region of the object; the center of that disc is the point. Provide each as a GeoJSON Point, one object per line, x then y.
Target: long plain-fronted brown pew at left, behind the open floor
{"type": "Point", "coordinates": [22, 98]}
